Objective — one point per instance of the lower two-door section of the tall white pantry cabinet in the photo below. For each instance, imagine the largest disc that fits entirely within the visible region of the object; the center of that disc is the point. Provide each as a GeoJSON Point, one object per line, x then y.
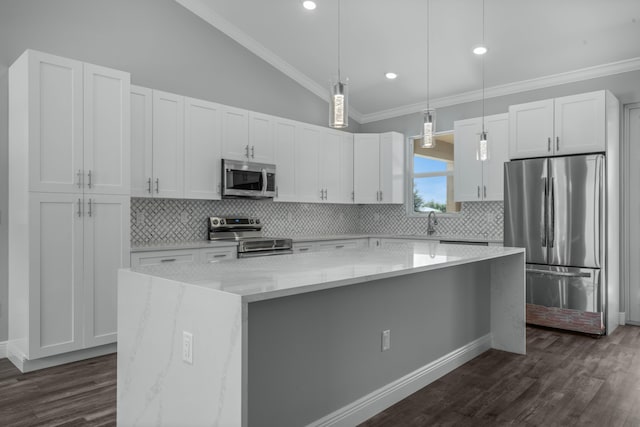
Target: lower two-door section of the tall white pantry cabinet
{"type": "Point", "coordinates": [63, 273]}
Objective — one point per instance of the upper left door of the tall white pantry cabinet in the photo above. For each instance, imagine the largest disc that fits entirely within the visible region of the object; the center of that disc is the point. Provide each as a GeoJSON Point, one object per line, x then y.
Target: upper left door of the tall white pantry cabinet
{"type": "Point", "coordinates": [53, 96]}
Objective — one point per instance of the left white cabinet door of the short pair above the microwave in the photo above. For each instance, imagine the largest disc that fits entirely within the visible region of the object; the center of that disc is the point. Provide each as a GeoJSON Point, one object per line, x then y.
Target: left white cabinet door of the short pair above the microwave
{"type": "Point", "coordinates": [235, 133]}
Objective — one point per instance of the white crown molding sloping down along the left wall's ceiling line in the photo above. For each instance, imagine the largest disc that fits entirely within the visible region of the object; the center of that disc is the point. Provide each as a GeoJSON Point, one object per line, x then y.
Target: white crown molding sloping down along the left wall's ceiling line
{"type": "Point", "coordinates": [202, 10]}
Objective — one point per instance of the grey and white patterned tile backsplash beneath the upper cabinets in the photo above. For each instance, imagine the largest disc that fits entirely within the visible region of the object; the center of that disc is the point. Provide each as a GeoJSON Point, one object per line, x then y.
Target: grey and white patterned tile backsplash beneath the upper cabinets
{"type": "Point", "coordinates": [177, 220]}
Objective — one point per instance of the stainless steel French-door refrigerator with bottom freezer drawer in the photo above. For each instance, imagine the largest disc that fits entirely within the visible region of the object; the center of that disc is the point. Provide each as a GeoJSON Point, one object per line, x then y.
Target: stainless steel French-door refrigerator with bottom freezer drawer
{"type": "Point", "coordinates": [555, 208]}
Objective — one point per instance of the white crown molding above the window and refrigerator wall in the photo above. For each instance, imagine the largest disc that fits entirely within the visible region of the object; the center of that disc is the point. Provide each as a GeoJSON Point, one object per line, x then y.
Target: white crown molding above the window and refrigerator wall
{"type": "Point", "coordinates": [612, 68]}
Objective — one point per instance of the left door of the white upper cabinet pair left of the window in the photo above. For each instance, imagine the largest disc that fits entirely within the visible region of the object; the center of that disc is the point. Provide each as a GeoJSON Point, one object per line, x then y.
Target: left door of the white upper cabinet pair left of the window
{"type": "Point", "coordinates": [366, 168]}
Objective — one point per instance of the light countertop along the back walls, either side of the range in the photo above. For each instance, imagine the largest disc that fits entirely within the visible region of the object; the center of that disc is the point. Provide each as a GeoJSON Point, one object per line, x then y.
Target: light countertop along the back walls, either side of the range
{"type": "Point", "coordinates": [199, 244]}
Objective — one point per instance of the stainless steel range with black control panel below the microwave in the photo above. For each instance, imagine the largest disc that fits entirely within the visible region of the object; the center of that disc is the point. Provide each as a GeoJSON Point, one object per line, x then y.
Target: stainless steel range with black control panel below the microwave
{"type": "Point", "coordinates": [247, 231]}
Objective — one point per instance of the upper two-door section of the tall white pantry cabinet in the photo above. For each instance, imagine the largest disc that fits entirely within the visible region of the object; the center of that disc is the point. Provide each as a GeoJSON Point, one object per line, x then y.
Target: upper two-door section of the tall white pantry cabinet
{"type": "Point", "coordinates": [75, 124]}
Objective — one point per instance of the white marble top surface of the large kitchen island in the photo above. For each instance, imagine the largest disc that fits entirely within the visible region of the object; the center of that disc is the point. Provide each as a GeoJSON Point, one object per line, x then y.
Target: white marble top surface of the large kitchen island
{"type": "Point", "coordinates": [256, 279]}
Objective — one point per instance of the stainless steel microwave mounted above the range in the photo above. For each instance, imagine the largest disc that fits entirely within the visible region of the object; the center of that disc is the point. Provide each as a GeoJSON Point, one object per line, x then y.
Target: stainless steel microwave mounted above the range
{"type": "Point", "coordinates": [247, 179]}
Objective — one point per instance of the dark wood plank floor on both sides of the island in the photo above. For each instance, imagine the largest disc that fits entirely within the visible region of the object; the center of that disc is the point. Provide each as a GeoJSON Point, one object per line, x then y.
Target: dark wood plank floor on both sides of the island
{"type": "Point", "coordinates": [564, 380]}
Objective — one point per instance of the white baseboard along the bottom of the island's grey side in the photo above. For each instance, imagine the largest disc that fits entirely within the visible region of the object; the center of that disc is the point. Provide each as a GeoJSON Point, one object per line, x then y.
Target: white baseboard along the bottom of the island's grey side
{"type": "Point", "coordinates": [377, 401]}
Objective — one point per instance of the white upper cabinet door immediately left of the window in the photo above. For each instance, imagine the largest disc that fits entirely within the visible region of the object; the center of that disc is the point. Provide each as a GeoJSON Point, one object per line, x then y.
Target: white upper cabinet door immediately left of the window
{"type": "Point", "coordinates": [391, 167]}
